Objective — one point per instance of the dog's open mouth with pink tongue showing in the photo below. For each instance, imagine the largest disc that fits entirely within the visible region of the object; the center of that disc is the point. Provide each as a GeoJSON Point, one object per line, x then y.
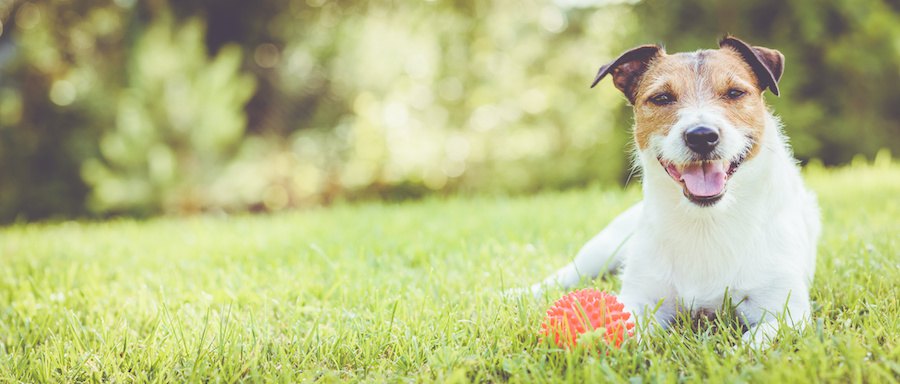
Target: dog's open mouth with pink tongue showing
{"type": "Point", "coordinates": [702, 182]}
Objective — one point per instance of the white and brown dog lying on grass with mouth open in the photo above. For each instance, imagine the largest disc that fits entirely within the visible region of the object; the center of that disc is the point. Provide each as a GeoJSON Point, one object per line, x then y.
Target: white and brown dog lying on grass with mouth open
{"type": "Point", "coordinates": [725, 212]}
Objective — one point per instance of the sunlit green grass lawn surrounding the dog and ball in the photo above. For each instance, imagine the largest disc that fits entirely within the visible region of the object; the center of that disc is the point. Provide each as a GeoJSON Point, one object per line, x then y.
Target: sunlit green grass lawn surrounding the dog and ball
{"type": "Point", "coordinates": [409, 292]}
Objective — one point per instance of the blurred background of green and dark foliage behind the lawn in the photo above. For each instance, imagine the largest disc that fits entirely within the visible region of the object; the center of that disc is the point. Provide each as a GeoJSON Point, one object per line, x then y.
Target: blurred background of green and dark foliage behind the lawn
{"type": "Point", "coordinates": [128, 107]}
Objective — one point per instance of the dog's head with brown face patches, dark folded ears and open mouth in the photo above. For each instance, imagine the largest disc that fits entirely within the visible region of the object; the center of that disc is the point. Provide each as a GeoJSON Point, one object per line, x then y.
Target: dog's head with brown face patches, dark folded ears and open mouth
{"type": "Point", "coordinates": [700, 114]}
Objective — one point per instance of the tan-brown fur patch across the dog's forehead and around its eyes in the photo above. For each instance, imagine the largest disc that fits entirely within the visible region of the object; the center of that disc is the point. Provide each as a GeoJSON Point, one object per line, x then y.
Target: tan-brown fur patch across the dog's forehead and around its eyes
{"type": "Point", "coordinates": [699, 78]}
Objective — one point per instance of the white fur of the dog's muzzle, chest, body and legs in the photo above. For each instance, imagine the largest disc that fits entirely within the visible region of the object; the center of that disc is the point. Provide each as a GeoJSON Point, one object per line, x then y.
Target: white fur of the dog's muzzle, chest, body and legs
{"type": "Point", "coordinates": [758, 242]}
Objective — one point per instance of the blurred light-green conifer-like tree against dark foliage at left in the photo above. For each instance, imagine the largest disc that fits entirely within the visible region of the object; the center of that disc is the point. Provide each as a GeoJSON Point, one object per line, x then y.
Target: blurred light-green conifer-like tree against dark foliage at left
{"type": "Point", "coordinates": [178, 122]}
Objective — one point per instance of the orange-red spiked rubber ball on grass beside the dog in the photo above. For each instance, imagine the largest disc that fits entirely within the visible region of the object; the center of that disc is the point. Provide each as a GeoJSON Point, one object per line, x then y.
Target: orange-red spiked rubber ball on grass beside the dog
{"type": "Point", "coordinates": [587, 311]}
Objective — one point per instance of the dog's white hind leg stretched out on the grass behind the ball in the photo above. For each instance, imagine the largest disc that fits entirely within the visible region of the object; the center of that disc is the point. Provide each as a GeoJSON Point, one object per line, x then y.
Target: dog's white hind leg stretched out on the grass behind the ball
{"type": "Point", "coordinates": [602, 253]}
